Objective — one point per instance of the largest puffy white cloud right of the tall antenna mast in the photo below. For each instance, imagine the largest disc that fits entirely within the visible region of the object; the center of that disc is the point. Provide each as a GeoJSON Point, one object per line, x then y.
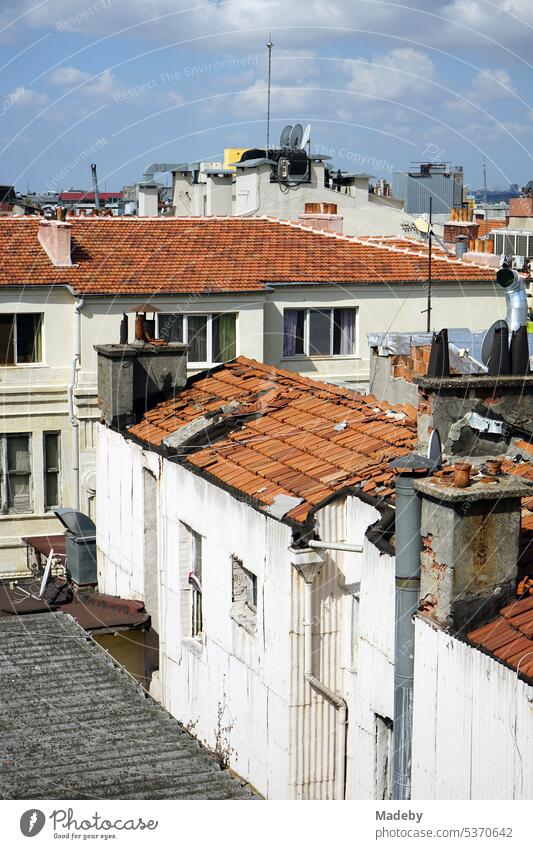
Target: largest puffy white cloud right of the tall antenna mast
{"type": "Point", "coordinates": [404, 72]}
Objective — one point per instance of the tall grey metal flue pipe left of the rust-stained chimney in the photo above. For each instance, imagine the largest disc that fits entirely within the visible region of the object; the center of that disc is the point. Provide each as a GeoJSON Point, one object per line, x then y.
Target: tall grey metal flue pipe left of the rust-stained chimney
{"type": "Point", "coordinates": [407, 592]}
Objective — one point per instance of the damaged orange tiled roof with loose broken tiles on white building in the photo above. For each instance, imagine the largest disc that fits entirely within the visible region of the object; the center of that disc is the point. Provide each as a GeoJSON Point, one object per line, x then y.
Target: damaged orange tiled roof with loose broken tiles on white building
{"type": "Point", "coordinates": [304, 438]}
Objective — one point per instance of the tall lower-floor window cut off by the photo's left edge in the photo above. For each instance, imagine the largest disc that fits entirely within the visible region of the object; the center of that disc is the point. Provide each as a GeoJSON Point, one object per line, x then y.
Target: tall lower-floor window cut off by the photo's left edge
{"type": "Point", "coordinates": [15, 470]}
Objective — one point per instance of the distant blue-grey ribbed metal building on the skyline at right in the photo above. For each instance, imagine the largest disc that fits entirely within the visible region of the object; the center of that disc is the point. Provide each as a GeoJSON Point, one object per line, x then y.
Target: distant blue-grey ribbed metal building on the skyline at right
{"type": "Point", "coordinates": [437, 180]}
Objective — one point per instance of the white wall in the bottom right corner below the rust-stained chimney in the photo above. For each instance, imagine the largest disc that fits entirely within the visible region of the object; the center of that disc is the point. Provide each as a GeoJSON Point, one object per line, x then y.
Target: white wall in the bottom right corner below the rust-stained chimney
{"type": "Point", "coordinates": [473, 723]}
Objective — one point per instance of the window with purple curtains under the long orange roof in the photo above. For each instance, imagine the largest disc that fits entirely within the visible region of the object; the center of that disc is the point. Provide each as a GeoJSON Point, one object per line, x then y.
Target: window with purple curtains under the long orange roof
{"type": "Point", "coordinates": [326, 332]}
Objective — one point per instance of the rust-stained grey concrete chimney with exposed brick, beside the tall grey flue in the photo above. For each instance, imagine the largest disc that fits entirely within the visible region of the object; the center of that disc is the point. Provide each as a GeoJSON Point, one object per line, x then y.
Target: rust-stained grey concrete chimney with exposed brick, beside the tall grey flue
{"type": "Point", "coordinates": [470, 538]}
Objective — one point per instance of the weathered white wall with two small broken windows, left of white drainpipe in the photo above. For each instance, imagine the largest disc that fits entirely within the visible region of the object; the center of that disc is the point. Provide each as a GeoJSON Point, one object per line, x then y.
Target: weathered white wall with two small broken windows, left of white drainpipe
{"type": "Point", "coordinates": [246, 676]}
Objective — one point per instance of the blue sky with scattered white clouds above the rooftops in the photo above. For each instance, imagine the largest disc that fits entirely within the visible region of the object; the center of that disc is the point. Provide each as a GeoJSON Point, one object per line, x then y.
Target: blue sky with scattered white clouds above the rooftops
{"type": "Point", "coordinates": [383, 83]}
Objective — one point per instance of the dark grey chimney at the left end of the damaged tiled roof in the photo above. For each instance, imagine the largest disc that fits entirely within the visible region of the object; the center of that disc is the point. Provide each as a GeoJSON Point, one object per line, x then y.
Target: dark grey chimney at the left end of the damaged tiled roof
{"type": "Point", "coordinates": [133, 378]}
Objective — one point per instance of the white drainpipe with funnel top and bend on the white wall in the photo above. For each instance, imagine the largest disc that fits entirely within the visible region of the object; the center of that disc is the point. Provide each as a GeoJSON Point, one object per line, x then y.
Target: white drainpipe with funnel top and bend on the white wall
{"type": "Point", "coordinates": [308, 564]}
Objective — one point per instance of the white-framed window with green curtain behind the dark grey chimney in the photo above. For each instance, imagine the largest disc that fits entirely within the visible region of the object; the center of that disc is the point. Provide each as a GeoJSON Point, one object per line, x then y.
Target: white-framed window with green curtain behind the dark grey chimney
{"type": "Point", "coordinates": [211, 338]}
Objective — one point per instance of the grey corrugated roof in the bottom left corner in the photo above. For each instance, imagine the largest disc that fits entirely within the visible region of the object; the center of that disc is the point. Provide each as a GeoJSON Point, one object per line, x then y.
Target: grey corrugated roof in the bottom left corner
{"type": "Point", "coordinates": [74, 725]}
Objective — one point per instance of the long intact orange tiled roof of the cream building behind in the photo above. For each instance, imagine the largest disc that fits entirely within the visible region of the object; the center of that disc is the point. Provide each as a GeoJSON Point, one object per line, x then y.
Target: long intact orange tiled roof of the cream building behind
{"type": "Point", "coordinates": [128, 255]}
